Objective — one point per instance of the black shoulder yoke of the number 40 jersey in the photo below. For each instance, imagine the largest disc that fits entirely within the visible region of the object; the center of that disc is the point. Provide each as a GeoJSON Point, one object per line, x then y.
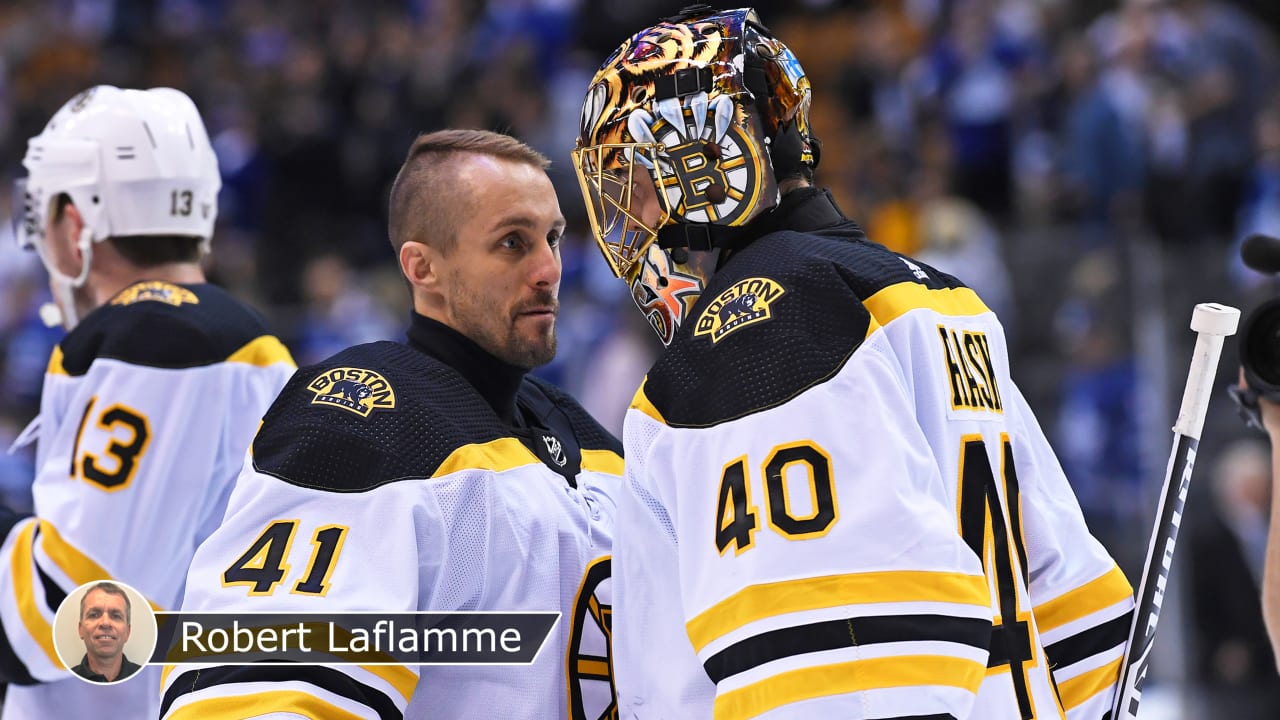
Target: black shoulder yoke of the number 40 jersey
{"type": "Point", "coordinates": [783, 316]}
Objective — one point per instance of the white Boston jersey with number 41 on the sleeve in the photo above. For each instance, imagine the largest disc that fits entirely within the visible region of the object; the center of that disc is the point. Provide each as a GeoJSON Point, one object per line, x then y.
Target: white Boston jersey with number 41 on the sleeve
{"type": "Point", "coordinates": [432, 504]}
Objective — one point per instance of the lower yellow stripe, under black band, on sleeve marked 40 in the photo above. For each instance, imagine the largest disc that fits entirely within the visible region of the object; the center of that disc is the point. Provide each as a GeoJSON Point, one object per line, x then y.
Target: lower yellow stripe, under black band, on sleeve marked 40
{"type": "Point", "coordinates": [808, 683]}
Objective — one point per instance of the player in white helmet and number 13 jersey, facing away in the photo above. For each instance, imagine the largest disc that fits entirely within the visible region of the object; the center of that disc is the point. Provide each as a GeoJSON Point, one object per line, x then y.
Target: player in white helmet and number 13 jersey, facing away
{"type": "Point", "coordinates": [149, 403]}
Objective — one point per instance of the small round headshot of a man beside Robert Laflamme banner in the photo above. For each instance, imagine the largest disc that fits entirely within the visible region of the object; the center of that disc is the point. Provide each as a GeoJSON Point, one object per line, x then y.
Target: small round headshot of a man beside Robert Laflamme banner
{"type": "Point", "coordinates": [104, 632]}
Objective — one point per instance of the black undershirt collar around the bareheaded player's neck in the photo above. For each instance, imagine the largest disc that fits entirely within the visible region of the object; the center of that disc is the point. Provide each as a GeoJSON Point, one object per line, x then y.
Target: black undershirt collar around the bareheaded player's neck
{"type": "Point", "coordinates": [496, 381]}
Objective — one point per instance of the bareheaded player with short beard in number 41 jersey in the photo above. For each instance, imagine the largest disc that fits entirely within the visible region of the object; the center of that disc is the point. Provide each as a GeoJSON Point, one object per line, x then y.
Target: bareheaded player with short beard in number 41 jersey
{"type": "Point", "coordinates": [437, 473]}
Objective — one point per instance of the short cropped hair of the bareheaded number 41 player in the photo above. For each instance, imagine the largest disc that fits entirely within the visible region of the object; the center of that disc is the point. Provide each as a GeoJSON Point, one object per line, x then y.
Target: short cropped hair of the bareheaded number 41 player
{"type": "Point", "coordinates": [424, 200]}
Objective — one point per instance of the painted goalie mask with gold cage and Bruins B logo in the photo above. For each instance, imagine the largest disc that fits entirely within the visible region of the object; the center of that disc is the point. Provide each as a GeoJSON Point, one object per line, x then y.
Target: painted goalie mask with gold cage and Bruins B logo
{"type": "Point", "coordinates": [687, 131]}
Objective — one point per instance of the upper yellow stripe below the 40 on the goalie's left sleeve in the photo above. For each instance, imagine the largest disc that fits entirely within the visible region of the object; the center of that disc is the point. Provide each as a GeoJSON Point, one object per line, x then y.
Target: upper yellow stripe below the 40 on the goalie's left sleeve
{"type": "Point", "coordinates": [757, 603]}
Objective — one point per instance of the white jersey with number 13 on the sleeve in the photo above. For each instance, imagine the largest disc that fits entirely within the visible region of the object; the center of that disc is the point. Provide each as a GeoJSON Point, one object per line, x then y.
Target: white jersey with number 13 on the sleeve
{"type": "Point", "coordinates": [148, 408]}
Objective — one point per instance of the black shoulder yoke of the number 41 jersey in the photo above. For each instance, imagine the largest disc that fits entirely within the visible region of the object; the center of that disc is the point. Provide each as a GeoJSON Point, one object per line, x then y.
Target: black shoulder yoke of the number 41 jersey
{"type": "Point", "coordinates": [382, 413]}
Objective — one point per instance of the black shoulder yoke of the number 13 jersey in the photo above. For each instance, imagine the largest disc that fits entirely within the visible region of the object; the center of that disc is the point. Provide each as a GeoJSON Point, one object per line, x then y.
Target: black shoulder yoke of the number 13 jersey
{"type": "Point", "coordinates": [163, 326]}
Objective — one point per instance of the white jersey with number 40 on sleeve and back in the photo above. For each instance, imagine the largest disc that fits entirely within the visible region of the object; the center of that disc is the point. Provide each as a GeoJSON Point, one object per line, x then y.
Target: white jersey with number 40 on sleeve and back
{"type": "Point", "coordinates": [839, 505]}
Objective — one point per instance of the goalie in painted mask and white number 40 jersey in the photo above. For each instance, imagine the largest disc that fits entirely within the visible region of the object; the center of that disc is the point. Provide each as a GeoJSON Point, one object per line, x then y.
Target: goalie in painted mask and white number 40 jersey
{"type": "Point", "coordinates": [836, 504]}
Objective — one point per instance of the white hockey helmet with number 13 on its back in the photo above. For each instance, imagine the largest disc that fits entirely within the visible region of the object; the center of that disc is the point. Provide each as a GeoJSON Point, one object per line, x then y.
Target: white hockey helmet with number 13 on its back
{"type": "Point", "coordinates": [134, 163]}
